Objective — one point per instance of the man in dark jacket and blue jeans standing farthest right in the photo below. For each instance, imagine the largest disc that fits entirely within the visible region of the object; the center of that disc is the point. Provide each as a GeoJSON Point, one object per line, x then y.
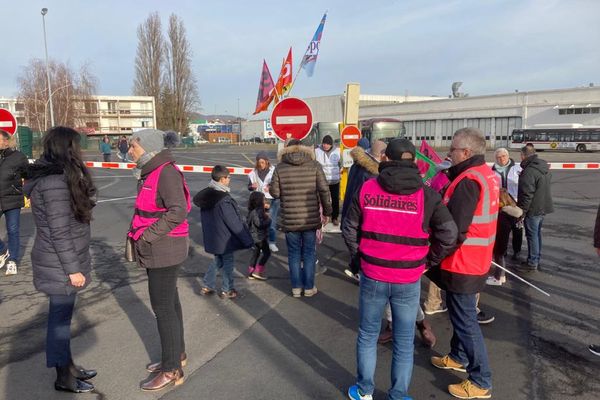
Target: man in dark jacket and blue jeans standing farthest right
{"type": "Point", "coordinates": [535, 199]}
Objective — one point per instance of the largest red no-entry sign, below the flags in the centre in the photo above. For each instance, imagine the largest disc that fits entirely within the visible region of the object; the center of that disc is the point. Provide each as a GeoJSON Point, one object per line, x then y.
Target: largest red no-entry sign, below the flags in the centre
{"type": "Point", "coordinates": [291, 118]}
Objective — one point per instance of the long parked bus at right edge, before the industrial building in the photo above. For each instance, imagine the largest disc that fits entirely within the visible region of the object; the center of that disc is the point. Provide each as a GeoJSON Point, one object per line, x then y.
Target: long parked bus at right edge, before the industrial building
{"type": "Point", "coordinates": [578, 138]}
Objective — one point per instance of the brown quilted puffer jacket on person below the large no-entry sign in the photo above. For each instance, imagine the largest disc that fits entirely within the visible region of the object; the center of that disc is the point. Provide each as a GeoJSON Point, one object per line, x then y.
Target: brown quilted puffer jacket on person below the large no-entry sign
{"type": "Point", "coordinates": [300, 183]}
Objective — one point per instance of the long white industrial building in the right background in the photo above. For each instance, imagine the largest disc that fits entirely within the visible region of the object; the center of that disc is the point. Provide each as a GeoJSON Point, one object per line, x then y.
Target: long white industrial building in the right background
{"type": "Point", "coordinates": [435, 119]}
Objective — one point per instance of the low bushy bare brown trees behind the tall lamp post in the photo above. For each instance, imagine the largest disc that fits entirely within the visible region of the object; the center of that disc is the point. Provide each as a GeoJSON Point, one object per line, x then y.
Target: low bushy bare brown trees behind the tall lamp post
{"type": "Point", "coordinates": [70, 90]}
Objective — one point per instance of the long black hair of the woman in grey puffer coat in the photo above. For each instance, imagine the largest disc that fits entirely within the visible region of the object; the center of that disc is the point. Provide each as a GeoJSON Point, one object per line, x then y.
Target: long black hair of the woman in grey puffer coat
{"type": "Point", "coordinates": [61, 148]}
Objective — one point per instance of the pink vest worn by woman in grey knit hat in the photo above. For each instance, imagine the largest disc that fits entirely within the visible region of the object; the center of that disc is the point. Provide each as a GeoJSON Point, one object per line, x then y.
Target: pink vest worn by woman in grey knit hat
{"type": "Point", "coordinates": [147, 212]}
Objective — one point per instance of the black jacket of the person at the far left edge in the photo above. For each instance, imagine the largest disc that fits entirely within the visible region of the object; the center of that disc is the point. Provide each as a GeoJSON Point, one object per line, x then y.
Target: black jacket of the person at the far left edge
{"type": "Point", "coordinates": [12, 162]}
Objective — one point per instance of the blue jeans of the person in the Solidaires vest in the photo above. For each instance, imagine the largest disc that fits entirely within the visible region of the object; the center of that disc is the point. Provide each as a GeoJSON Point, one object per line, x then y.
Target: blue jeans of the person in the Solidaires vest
{"type": "Point", "coordinates": [404, 302]}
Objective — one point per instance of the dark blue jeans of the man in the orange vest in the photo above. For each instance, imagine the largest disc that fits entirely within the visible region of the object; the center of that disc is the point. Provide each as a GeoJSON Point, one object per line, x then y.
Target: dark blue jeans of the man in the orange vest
{"type": "Point", "coordinates": [467, 346]}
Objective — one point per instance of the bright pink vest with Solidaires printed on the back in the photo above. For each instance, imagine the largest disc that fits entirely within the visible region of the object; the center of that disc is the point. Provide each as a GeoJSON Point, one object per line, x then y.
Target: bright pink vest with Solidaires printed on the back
{"type": "Point", "coordinates": [393, 245]}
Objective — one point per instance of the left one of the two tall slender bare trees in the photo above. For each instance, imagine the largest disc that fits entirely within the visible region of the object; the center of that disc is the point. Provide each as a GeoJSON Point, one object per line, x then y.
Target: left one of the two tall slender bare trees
{"type": "Point", "coordinates": [149, 61]}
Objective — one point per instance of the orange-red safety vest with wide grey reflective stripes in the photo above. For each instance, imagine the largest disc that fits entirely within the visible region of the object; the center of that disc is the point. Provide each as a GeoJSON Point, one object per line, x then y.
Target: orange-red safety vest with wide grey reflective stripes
{"type": "Point", "coordinates": [474, 256]}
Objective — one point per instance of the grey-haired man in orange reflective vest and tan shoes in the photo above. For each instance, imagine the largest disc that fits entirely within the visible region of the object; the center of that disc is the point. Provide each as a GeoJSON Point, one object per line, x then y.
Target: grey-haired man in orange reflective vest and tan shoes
{"type": "Point", "coordinates": [472, 198]}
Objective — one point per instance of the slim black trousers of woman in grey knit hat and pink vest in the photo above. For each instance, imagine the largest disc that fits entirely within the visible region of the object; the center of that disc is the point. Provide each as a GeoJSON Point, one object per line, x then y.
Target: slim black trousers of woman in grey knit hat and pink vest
{"type": "Point", "coordinates": [164, 298]}
